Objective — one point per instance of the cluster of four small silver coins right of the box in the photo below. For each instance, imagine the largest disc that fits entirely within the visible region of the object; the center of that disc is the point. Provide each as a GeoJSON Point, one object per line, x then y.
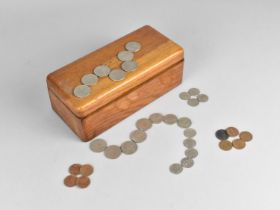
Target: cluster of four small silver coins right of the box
{"type": "Point", "coordinates": [193, 97]}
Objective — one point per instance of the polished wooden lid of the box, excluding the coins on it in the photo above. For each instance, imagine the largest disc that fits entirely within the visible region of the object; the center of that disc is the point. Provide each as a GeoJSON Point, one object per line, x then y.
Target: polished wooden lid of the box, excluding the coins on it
{"type": "Point", "coordinates": [156, 55]}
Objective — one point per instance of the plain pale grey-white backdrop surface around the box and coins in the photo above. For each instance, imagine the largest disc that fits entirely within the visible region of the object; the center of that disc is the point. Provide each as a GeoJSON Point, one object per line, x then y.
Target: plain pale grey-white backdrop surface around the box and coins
{"type": "Point", "coordinates": [232, 54]}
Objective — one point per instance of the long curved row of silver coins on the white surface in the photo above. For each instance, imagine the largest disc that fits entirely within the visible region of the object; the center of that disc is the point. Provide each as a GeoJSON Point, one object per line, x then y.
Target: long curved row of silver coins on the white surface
{"type": "Point", "coordinates": [139, 135]}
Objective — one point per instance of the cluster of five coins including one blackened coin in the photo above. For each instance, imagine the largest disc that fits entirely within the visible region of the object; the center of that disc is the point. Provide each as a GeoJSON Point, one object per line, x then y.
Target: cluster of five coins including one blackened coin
{"type": "Point", "coordinates": [239, 138]}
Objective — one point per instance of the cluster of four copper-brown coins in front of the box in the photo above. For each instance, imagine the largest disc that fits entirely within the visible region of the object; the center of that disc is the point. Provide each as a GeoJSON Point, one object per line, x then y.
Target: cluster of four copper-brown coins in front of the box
{"type": "Point", "coordinates": [79, 175]}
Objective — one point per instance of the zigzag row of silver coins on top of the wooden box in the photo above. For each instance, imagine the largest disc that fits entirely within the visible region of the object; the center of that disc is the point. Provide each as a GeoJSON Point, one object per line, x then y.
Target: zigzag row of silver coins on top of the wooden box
{"type": "Point", "coordinates": [128, 65]}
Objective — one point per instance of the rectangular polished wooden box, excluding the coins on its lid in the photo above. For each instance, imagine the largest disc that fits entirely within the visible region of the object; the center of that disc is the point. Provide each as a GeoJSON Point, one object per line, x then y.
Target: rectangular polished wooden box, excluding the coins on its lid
{"type": "Point", "coordinates": [160, 67]}
